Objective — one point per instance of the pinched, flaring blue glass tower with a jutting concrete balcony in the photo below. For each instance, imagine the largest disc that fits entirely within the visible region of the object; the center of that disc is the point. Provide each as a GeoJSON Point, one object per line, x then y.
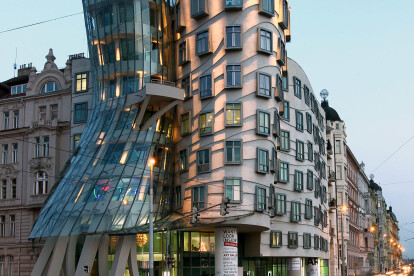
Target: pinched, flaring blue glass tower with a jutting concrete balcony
{"type": "Point", "coordinates": [104, 188]}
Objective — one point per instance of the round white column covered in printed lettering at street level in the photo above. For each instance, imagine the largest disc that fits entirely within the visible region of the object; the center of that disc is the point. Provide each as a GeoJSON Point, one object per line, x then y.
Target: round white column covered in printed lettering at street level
{"type": "Point", "coordinates": [226, 251]}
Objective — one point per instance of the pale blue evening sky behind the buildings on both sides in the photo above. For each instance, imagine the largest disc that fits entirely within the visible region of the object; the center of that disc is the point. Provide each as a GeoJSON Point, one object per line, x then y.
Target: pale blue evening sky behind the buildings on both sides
{"type": "Point", "coordinates": [361, 51]}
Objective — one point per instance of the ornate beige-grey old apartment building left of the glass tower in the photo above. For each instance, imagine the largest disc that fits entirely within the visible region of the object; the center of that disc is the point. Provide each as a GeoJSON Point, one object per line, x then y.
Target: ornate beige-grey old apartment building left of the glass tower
{"type": "Point", "coordinates": [35, 137]}
